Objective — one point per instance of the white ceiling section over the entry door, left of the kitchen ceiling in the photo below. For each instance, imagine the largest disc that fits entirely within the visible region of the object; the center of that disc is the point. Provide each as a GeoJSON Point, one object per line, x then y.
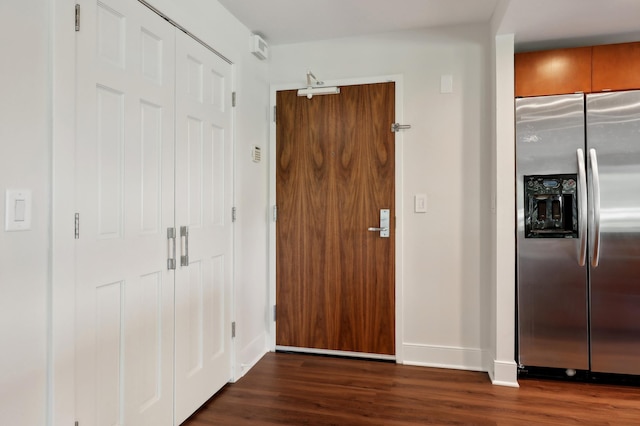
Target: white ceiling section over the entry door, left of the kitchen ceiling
{"type": "Point", "coordinates": [297, 21]}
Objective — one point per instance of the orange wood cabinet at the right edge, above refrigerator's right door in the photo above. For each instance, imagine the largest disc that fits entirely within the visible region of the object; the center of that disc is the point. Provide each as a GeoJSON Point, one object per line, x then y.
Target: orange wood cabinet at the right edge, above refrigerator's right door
{"type": "Point", "coordinates": [616, 67]}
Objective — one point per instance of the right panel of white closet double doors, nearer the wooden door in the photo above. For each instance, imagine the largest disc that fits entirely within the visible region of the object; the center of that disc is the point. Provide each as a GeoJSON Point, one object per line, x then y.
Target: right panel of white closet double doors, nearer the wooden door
{"type": "Point", "coordinates": [204, 185]}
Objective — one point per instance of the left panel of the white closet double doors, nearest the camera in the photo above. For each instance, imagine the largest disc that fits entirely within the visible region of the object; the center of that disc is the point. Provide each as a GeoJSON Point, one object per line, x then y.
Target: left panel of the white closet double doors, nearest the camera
{"type": "Point", "coordinates": [124, 193]}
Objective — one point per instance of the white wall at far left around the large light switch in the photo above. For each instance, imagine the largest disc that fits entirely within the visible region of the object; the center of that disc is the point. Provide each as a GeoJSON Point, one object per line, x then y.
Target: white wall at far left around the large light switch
{"type": "Point", "coordinates": [24, 164]}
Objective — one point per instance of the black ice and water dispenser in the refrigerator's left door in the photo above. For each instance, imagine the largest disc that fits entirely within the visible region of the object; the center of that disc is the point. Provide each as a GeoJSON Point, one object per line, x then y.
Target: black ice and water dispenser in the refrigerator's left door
{"type": "Point", "coordinates": [551, 206]}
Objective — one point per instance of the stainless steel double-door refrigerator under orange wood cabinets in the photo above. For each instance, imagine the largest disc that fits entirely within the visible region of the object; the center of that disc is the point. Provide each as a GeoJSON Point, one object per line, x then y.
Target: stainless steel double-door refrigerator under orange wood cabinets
{"type": "Point", "coordinates": [578, 232]}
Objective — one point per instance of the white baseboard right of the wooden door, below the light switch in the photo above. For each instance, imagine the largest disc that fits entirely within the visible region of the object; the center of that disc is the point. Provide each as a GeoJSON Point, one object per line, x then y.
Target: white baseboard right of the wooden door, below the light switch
{"type": "Point", "coordinates": [443, 357]}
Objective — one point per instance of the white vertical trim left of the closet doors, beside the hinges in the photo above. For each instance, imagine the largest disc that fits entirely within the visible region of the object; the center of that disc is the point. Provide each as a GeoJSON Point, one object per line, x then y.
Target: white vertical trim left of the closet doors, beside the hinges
{"type": "Point", "coordinates": [61, 297]}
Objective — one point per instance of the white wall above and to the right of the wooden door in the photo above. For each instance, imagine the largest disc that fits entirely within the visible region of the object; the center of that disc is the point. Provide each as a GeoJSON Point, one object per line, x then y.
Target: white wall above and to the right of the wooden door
{"type": "Point", "coordinates": [446, 155]}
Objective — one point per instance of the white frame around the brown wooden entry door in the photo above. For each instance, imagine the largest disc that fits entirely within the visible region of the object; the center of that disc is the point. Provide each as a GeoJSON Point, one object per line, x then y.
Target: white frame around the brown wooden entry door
{"type": "Point", "coordinates": [397, 79]}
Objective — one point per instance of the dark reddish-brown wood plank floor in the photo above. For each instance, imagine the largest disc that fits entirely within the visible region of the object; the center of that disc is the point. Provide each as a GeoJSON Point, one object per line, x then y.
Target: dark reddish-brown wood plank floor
{"type": "Point", "coordinates": [296, 389]}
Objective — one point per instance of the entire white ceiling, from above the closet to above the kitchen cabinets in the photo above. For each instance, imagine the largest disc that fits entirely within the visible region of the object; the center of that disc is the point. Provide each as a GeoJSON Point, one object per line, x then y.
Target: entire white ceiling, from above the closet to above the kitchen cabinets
{"type": "Point", "coordinates": [536, 23]}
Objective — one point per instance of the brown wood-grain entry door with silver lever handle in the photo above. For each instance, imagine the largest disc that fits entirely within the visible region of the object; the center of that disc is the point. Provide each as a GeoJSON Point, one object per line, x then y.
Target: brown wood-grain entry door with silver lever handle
{"type": "Point", "coordinates": [335, 170]}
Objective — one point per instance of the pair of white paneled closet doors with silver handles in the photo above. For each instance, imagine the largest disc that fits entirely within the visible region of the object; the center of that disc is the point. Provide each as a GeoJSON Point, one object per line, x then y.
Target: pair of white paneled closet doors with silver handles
{"type": "Point", "coordinates": [153, 158]}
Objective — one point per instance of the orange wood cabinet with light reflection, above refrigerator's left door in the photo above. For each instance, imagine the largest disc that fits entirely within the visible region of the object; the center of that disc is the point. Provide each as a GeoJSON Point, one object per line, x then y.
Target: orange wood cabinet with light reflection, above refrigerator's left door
{"type": "Point", "coordinates": [553, 72]}
